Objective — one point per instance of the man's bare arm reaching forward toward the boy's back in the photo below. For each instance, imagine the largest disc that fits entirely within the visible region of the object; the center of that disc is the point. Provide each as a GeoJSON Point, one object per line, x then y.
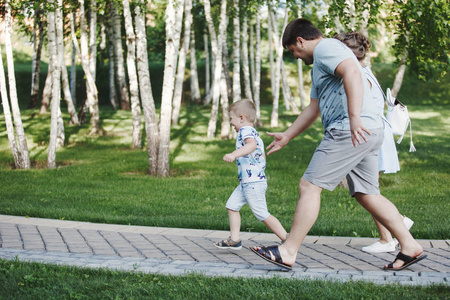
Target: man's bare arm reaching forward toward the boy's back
{"type": "Point", "coordinates": [303, 121]}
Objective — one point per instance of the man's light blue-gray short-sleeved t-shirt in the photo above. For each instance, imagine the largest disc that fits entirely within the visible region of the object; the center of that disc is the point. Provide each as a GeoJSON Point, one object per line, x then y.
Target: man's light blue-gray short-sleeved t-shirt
{"type": "Point", "coordinates": [329, 89]}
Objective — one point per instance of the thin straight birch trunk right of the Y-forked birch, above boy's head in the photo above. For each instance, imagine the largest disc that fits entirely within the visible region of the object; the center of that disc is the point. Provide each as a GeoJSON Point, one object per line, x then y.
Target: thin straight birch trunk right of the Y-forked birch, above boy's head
{"type": "Point", "coordinates": [236, 53]}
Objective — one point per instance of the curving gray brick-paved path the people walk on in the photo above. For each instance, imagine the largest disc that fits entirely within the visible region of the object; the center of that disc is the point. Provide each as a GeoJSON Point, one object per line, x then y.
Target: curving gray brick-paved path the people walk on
{"type": "Point", "coordinates": [180, 251]}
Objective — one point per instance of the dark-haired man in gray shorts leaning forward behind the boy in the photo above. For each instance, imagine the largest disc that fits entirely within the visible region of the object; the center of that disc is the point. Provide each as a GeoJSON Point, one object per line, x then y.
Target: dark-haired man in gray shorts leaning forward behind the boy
{"type": "Point", "coordinates": [353, 134]}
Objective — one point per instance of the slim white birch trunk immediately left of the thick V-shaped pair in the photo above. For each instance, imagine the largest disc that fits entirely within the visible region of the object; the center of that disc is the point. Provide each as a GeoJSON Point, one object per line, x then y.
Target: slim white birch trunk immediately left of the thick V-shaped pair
{"type": "Point", "coordinates": [132, 76]}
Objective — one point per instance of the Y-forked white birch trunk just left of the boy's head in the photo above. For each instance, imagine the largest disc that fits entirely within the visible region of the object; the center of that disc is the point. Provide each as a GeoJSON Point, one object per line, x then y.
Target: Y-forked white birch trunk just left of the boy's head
{"type": "Point", "coordinates": [217, 44]}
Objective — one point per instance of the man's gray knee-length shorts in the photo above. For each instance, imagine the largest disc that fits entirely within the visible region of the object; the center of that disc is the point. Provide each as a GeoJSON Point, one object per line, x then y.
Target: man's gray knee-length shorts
{"type": "Point", "coordinates": [336, 157]}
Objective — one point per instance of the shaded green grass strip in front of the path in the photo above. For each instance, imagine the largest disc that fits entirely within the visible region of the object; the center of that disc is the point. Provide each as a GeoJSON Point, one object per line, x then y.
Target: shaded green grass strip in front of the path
{"type": "Point", "coordinates": [39, 281]}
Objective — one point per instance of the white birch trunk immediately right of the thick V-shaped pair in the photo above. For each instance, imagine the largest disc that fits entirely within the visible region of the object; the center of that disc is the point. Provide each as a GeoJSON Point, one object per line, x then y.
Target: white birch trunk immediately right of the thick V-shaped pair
{"type": "Point", "coordinates": [182, 62]}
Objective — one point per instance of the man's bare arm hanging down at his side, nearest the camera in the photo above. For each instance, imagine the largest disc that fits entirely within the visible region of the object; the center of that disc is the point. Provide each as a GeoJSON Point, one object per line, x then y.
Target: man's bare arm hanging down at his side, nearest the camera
{"type": "Point", "coordinates": [354, 89]}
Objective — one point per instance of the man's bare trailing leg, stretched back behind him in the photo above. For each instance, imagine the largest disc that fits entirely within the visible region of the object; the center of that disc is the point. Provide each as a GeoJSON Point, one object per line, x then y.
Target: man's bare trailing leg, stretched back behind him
{"type": "Point", "coordinates": [386, 212]}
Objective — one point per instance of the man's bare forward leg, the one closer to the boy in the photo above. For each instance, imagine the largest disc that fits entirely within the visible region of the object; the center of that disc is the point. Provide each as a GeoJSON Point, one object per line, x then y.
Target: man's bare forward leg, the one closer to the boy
{"type": "Point", "coordinates": [305, 216]}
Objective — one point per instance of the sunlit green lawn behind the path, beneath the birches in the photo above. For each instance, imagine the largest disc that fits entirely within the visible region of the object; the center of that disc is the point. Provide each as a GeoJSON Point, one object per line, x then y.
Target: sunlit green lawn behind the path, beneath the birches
{"type": "Point", "coordinates": [100, 179]}
